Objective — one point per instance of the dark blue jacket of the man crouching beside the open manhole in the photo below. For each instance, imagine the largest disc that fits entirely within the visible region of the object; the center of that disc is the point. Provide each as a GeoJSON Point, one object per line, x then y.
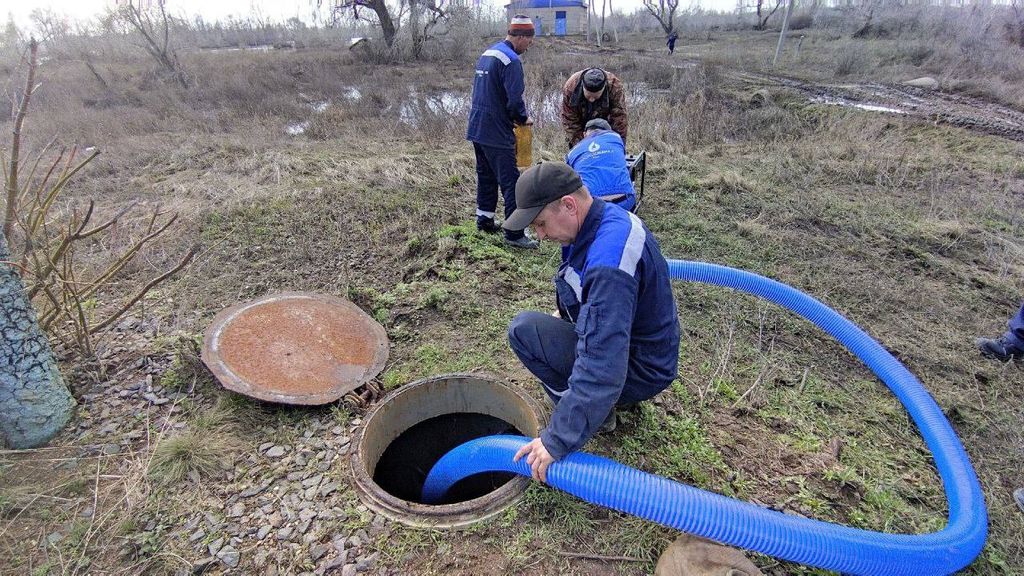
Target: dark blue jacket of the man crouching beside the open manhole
{"type": "Point", "coordinates": [614, 284]}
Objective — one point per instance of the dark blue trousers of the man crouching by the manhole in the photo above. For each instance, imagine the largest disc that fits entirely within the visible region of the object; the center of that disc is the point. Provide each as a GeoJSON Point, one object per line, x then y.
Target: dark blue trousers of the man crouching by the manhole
{"type": "Point", "coordinates": [546, 346]}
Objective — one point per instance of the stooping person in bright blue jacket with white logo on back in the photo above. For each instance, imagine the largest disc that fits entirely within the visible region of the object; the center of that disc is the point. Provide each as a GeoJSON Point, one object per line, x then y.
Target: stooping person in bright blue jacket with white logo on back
{"type": "Point", "coordinates": [601, 161]}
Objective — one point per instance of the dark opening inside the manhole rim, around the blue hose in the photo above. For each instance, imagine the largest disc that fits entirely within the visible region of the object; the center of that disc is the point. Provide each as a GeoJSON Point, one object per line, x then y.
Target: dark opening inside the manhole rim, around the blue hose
{"type": "Point", "coordinates": [406, 463]}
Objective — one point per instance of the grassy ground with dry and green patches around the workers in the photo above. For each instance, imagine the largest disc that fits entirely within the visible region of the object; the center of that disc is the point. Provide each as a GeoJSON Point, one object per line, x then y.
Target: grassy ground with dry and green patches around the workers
{"type": "Point", "coordinates": [912, 230]}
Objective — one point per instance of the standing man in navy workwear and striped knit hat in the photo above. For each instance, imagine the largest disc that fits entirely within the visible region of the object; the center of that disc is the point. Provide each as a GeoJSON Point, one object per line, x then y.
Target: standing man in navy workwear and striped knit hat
{"type": "Point", "coordinates": [497, 108]}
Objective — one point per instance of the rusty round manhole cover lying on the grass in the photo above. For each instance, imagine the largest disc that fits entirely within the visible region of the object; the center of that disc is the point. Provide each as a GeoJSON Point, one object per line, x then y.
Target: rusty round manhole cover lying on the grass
{"type": "Point", "coordinates": [295, 348]}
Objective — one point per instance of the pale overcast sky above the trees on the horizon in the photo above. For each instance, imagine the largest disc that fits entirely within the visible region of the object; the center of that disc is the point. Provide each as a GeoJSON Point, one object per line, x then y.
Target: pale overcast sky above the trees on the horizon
{"type": "Point", "coordinates": [273, 10]}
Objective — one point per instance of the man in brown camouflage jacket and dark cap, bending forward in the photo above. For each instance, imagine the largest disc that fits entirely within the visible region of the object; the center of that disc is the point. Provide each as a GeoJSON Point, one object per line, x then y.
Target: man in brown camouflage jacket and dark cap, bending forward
{"type": "Point", "coordinates": [593, 94]}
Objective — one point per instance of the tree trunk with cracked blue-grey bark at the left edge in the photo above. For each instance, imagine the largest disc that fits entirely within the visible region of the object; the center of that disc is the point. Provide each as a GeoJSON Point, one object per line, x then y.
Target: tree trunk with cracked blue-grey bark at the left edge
{"type": "Point", "coordinates": [35, 403]}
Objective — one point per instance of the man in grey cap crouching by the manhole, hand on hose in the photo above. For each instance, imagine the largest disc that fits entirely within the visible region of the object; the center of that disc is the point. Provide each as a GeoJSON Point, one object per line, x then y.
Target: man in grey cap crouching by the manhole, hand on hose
{"type": "Point", "coordinates": [616, 341]}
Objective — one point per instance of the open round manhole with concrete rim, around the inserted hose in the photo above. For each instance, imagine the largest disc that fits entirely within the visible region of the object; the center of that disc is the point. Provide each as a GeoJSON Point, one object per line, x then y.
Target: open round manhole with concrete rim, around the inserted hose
{"type": "Point", "coordinates": [412, 428]}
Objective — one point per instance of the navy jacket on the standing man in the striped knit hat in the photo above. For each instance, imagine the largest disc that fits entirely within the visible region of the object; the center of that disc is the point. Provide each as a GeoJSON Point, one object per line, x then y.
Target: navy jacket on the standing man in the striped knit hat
{"type": "Point", "coordinates": [498, 102]}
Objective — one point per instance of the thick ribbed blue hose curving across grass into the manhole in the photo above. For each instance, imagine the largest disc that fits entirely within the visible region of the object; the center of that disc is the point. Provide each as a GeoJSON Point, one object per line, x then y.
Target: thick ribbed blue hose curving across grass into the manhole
{"type": "Point", "coordinates": [807, 542]}
